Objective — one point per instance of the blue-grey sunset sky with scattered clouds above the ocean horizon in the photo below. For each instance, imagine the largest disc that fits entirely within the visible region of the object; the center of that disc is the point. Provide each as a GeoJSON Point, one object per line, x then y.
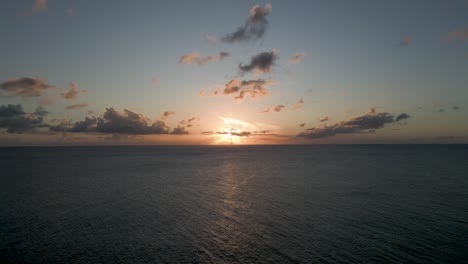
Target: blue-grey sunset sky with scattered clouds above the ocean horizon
{"type": "Point", "coordinates": [233, 72]}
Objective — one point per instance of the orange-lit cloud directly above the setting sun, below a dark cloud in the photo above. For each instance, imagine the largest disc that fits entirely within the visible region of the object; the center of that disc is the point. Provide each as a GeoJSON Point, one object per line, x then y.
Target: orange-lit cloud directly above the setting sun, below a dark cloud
{"type": "Point", "coordinates": [243, 88]}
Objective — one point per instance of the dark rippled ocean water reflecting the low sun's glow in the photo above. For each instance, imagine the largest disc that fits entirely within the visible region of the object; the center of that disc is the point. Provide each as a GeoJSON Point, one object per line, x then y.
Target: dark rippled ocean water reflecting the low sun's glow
{"type": "Point", "coordinates": [235, 204]}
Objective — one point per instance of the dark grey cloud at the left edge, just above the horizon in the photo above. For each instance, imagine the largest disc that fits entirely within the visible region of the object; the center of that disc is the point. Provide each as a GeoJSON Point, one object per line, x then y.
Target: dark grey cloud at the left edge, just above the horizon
{"type": "Point", "coordinates": [15, 120]}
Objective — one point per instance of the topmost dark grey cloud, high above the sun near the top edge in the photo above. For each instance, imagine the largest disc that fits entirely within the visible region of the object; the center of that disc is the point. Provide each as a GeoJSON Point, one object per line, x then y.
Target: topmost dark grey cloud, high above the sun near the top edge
{"type": "Point", "coordinates": [254, 27]}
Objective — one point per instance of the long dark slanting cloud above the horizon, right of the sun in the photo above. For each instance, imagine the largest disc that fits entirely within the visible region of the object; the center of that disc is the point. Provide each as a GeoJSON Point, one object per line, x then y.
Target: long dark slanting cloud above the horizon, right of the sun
{"type": "Point", "coordinates": [367, 123]}
